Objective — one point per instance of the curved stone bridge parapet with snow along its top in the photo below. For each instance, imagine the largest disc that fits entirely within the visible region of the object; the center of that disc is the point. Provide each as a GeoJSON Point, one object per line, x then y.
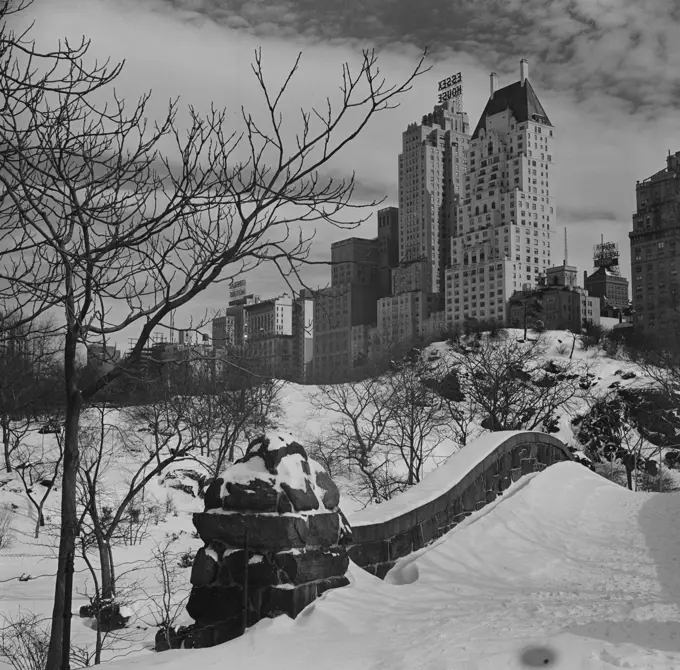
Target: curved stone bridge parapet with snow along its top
{"type": "Point", "coordinates": [470, 479]}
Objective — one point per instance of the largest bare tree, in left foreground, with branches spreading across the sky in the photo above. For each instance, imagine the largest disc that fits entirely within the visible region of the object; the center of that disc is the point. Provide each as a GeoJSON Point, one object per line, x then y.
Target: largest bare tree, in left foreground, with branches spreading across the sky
{"type": "Point", "coordinates": [101, 207]}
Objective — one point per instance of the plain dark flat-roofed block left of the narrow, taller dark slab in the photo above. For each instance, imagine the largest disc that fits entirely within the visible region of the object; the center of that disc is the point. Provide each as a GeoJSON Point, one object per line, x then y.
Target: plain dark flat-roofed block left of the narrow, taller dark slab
{"type": "Point", "coordinates": [349, 301]}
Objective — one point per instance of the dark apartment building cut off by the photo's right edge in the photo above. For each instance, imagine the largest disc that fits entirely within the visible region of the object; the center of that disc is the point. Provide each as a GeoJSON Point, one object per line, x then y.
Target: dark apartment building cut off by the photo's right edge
{"type": "Point", "coordinates": [655, 249]}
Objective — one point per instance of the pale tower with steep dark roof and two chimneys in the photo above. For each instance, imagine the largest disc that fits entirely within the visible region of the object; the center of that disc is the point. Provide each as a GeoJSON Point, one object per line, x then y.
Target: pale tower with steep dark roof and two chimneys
{"type": "Point", "coordinates": [502, 240]}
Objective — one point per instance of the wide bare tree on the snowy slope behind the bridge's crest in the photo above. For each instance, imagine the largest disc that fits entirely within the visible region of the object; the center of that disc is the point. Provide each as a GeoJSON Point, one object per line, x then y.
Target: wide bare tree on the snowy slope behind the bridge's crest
{"type": "Point", "coordinates": [510, 388]}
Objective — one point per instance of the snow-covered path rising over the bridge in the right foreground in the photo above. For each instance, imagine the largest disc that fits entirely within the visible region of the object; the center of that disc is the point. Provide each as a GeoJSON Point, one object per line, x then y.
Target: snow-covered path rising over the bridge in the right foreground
{"type": "Point", "coordinates": [565, 562]}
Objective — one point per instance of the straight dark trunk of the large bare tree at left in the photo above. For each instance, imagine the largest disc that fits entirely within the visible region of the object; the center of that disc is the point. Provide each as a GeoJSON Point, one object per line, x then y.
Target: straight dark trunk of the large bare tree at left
{"type": "Point", "coordinates": [60, 634]}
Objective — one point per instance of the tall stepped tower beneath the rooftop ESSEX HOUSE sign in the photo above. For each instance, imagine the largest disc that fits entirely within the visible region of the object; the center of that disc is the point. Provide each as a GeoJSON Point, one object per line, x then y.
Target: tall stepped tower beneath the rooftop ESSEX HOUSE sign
{"type": "Point", "coordinates": [432, 166]}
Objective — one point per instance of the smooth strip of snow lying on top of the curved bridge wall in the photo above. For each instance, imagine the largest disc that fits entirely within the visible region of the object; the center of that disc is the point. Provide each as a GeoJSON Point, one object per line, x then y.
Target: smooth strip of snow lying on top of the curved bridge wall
{"type": "Point", "coordinates": [436, 483]}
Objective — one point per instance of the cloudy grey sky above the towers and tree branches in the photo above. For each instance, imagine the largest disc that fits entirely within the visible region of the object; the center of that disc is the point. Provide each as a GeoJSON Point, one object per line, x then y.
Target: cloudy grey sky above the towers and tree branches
{"type": "Point", "coordinates": [606, 71]}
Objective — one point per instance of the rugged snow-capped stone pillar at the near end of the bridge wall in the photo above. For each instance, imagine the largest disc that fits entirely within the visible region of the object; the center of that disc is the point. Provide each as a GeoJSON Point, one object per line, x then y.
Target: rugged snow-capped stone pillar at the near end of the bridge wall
{"type": "Point", "coordinates": [274, 539]}
